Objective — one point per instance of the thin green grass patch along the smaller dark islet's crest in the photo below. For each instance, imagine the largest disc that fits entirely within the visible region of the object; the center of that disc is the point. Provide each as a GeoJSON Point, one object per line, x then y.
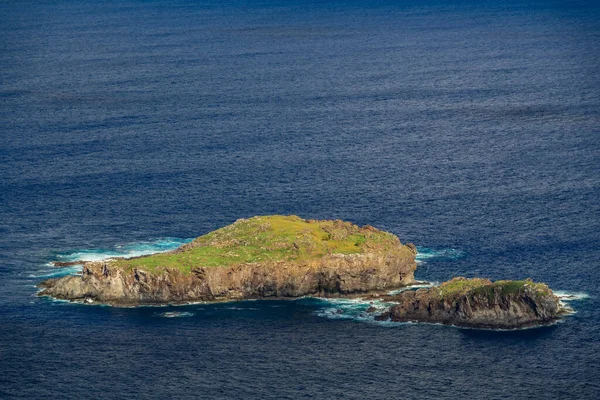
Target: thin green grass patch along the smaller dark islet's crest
{"type": "Point", "coordinates": [461, 286]}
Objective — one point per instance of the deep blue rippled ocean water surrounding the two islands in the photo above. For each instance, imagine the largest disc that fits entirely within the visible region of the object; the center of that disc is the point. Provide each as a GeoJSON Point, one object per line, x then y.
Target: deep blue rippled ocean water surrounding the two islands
{"type": "Point", "coordinates": [469, 128]}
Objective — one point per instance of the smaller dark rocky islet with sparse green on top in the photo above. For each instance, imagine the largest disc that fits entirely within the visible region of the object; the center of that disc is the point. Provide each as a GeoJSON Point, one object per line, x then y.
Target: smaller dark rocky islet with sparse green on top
{"type": "Point", "coordinates": [478, 303]}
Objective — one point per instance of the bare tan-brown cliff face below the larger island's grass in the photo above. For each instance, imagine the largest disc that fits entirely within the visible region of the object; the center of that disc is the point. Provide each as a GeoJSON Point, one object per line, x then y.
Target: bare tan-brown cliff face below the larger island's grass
{"type": "Point", "coordinates": [332, 276]}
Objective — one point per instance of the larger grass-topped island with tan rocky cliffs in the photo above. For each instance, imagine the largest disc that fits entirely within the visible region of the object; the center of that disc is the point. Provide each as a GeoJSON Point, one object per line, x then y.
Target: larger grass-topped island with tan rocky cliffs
{"type": "Point", "coordinates": [260, 257]}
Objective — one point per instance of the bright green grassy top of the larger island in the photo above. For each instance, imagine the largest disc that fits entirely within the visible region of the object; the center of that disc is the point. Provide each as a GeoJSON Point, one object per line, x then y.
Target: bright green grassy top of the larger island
{"type": "Point", "coordinates": [267, 238]}
